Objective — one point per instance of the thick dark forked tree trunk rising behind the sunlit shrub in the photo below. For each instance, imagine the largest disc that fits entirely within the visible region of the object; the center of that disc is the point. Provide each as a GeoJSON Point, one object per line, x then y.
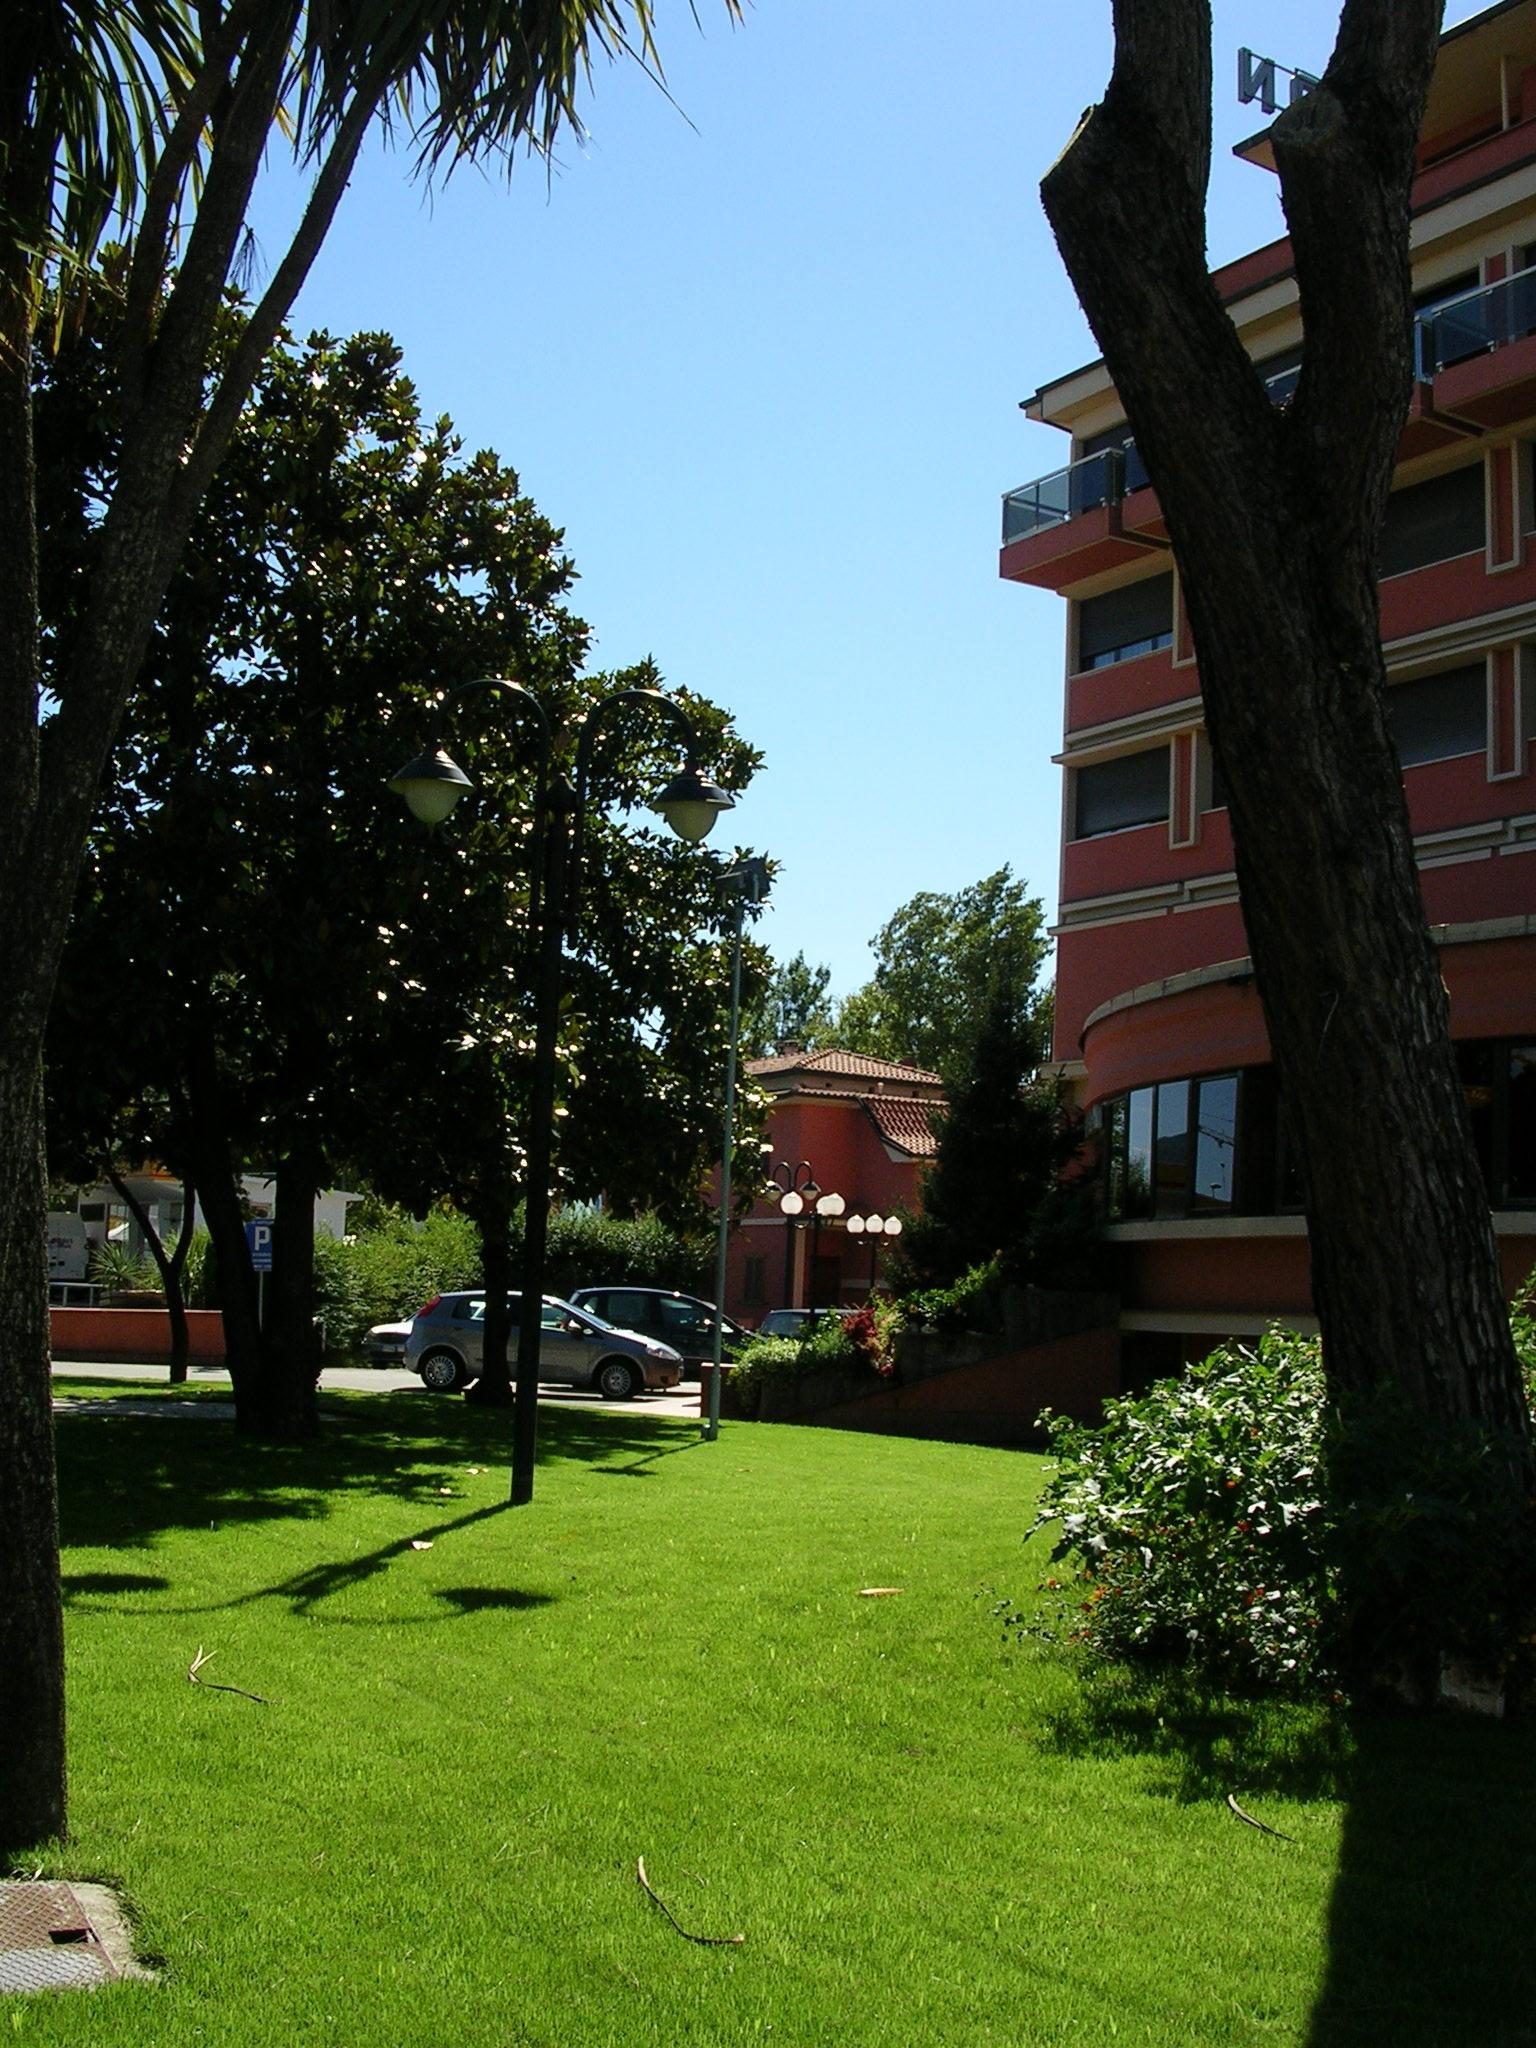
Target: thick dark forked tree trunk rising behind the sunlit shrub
{"type": "Point", "coordinates": [1275, 519]}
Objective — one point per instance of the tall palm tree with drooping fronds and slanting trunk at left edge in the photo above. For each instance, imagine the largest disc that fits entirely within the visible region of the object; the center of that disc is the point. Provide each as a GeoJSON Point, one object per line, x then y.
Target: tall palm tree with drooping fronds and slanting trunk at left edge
{"type": "Point", "coordinates": [132, 134]}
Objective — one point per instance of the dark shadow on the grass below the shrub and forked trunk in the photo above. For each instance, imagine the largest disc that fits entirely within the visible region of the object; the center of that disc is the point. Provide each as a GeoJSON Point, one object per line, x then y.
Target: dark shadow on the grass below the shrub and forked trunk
{"type": "Point", "coordinates": [1435, 1891]}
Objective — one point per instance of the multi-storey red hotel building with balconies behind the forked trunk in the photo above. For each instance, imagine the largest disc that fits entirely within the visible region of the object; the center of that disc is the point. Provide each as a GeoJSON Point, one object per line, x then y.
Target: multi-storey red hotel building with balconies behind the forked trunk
{"type": "Point", "coordinates": [1158, 1023]}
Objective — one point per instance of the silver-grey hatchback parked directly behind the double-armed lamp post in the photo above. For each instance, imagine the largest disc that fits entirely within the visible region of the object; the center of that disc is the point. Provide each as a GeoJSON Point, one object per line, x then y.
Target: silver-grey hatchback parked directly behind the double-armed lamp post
{"type": "Point", "coordinates": [574, 1351]}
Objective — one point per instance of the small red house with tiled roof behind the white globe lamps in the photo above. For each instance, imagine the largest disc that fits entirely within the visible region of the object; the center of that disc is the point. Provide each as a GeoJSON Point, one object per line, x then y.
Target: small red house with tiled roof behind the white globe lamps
{"type": "Point", "coordinates": [849, 1136]}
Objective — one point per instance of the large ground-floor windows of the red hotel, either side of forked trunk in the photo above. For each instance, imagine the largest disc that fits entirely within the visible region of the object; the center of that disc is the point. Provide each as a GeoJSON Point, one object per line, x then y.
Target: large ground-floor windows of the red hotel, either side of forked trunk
{"type": "Point", "coordinates": [1218, 1144]}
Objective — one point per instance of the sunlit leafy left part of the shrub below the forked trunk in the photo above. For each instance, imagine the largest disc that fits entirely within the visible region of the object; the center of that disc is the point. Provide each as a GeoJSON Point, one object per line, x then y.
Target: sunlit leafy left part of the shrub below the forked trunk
{"type": "Point", "coordinates": [1197, 1519]}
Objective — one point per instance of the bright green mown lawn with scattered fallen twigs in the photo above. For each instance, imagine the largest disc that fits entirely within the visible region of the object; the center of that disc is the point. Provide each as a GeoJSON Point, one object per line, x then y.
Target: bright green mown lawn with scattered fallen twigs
{"type": "Point", "coordinates": [431, 1832]}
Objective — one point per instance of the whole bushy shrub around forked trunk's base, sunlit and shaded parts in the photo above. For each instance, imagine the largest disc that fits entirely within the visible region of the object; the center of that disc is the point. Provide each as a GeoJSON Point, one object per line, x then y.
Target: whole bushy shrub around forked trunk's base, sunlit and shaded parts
{"type": "Point", "coordinates": [1232, 1523]}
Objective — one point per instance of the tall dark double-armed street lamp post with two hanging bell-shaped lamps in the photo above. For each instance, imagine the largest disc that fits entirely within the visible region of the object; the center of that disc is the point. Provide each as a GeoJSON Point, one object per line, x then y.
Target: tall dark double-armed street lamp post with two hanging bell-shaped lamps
{"type": "Point", "coordinates": [431, 785]}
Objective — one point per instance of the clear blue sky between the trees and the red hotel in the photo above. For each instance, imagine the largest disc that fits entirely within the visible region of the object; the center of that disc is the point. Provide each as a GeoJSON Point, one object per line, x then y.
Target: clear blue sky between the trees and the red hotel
{"type": "Point", "coordinates": [761, 355]}
